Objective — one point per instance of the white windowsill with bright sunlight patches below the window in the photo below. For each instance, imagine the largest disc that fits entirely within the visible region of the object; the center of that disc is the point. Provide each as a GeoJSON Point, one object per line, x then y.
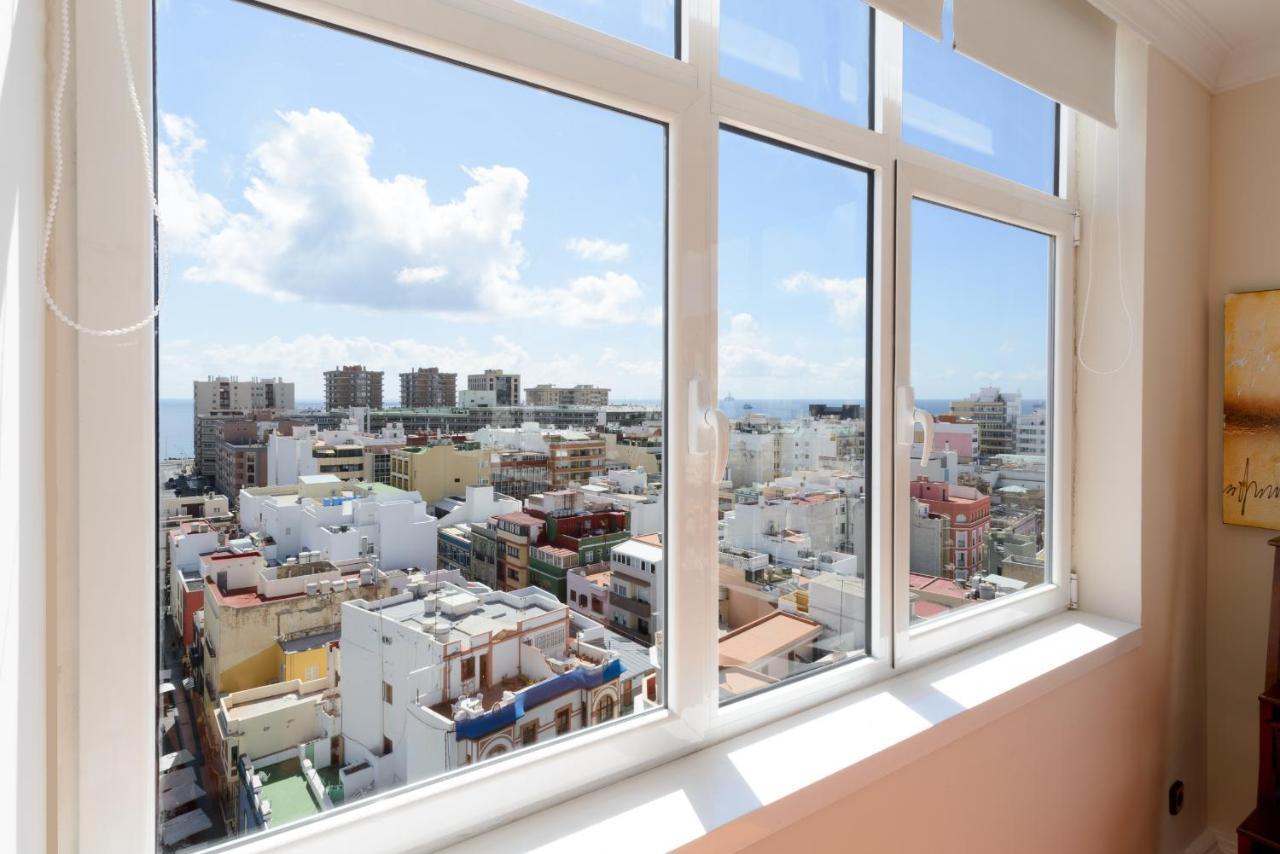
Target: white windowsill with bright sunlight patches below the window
{"type": "Point", "coordinates": [862, 738]}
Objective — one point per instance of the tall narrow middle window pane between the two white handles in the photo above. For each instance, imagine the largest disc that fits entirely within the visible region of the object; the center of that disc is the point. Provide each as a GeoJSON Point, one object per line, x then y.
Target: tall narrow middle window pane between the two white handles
{"type": "Point", "coordinates": [794, 380]}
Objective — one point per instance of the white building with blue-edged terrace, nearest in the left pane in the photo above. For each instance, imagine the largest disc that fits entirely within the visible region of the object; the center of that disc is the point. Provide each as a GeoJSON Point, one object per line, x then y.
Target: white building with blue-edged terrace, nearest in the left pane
{"type": "Point", "coordinates": [446, 675]}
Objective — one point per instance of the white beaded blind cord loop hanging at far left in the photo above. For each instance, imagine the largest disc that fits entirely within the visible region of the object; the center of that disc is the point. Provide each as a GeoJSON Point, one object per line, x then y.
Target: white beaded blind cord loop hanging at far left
{"type": "Point", "coordinates": [56, 191]}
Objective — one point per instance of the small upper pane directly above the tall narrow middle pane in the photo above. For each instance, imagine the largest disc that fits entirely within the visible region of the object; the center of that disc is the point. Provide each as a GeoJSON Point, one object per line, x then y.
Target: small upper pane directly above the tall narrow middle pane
{"type": "Point", "coordinates": [816, 54]}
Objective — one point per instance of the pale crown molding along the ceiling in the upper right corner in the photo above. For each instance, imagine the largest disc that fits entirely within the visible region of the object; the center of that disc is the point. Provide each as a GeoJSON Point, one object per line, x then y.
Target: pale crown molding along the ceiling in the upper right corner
{"type": "Point", "coordinates": [1188, 39]}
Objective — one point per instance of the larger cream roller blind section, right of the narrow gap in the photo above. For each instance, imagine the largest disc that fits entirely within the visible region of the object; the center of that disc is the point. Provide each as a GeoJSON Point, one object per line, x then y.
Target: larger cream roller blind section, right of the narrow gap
{"type": "Point", "coordinates": [1066, 49]}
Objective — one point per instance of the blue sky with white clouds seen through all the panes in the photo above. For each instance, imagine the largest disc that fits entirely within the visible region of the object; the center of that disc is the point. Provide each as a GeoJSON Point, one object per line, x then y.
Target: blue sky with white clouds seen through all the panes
{"type": "Point", "coordinates": [331, 200]}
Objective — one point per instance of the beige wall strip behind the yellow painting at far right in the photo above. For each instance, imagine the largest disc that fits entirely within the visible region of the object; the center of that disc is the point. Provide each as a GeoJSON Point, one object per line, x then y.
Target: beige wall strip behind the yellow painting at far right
{"type": "Point", "coordinates": [1246, 257]}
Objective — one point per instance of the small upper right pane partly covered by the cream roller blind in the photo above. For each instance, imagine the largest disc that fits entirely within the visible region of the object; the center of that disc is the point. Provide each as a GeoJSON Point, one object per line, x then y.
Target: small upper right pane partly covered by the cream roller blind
{"type": "Point", "coordinates": [961, 109]}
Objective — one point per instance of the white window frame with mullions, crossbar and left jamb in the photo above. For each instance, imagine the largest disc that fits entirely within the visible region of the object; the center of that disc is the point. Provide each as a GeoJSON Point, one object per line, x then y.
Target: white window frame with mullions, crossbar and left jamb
{"type": "Point", "coordinates": [104, 243]}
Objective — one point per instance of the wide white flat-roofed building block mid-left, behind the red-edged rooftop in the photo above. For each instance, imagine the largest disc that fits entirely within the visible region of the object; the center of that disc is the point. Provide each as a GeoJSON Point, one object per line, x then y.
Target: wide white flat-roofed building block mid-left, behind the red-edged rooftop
{"type": "Point", "coordinates": [341, 522]}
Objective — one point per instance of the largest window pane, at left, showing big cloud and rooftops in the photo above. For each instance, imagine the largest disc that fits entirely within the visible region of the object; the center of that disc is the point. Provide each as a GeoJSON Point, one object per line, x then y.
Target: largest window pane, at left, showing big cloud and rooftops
{"type": "Point", "coordinates": [412, 377]}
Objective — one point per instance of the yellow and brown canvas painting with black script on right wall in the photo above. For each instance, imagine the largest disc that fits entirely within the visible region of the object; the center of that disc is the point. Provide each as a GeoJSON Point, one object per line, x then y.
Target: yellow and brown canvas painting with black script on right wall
{"type": "Point", "coordinates": [1251, 409]}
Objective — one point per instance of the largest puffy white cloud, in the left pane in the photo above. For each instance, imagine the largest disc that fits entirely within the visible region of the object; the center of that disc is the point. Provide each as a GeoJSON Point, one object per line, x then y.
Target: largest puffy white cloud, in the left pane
{"type": "Point", "coordinates": [319, 226]}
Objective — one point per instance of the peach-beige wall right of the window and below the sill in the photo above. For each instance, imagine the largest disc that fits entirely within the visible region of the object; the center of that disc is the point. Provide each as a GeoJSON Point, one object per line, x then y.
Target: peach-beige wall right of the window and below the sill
{"type": "Point", "coordinates": [1087, 768]}
